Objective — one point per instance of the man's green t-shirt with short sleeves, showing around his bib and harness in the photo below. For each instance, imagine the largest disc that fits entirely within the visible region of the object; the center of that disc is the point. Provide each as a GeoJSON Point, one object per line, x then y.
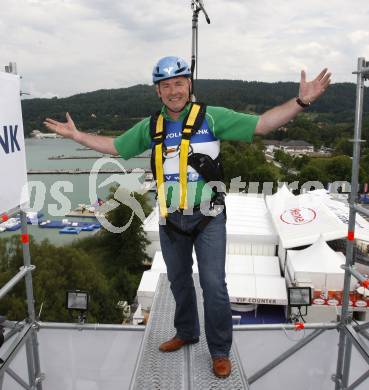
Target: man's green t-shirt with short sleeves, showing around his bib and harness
{"type": "Point", "coordinates": [225, 124]}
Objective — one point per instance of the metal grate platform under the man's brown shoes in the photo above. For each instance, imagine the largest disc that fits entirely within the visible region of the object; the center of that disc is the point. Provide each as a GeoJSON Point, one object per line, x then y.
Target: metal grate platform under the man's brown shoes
{"type": "Point", "coordinates": [188, 368]}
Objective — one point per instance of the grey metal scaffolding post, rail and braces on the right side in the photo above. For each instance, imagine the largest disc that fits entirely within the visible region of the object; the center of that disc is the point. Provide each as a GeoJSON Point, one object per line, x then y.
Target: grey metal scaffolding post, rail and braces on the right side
{"type": "Point", "coordinates": [349, 334]}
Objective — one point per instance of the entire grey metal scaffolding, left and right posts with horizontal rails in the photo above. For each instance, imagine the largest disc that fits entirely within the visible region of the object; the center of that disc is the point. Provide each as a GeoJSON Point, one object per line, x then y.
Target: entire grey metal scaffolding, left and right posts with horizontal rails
{"type": "Point", "coordinates": [350, 333]}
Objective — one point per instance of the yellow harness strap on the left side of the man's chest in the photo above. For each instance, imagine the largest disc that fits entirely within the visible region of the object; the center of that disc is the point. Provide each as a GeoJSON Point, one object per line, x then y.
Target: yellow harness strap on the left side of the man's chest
{"type": "Point", "coordinates": [159, 166]}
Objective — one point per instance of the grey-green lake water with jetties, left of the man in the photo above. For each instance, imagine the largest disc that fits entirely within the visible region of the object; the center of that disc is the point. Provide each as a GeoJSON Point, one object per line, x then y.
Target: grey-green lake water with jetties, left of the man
{"type": "Point", "coordinates": [74, 189]}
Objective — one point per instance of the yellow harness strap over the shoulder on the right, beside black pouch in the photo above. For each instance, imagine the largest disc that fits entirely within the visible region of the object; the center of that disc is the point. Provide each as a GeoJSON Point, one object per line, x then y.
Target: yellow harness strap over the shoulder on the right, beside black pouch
{"type": "Point", "coordinates": [183, 156]}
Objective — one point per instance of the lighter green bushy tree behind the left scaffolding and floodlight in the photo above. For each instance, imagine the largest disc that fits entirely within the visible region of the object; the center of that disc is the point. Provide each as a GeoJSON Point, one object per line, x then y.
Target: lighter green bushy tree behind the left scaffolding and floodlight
{"type": "Point", "coordinates": [57, 270]}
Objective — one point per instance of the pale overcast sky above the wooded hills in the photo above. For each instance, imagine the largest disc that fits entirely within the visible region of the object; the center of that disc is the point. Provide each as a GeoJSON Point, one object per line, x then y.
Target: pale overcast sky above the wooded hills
{"type": "Point", "coordinates": [64, 47]}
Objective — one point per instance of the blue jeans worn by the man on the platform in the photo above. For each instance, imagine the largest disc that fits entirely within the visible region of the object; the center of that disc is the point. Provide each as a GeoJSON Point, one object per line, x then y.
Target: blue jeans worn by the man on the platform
{"type": "Point", "coordinates": [210, 247]}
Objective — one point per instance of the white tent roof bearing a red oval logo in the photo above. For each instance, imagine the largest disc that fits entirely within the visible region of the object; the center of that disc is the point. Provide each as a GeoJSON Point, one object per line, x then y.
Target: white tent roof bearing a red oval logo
{"type": "Point", "coordinates": [300, 220]}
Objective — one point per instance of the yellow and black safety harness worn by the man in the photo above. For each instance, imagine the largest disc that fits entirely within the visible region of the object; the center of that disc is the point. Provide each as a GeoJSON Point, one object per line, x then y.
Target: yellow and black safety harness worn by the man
{"type": "Point", "coordinates": [203, 164]}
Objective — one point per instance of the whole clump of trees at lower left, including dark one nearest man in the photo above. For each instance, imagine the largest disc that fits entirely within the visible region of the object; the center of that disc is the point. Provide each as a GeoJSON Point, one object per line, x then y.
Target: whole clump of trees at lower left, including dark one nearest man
{"type": "Point", "coordinates": [109, 266]}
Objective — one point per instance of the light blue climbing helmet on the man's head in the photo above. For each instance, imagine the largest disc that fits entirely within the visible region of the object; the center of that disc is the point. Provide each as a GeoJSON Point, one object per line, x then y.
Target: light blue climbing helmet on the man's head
{"type": "Point", "coordinates": [169, 67]}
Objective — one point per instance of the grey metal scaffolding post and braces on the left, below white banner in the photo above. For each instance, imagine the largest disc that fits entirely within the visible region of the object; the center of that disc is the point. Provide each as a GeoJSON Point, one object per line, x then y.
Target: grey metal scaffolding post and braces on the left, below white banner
{"type": "Point", "coordinates": [27, 331]}
